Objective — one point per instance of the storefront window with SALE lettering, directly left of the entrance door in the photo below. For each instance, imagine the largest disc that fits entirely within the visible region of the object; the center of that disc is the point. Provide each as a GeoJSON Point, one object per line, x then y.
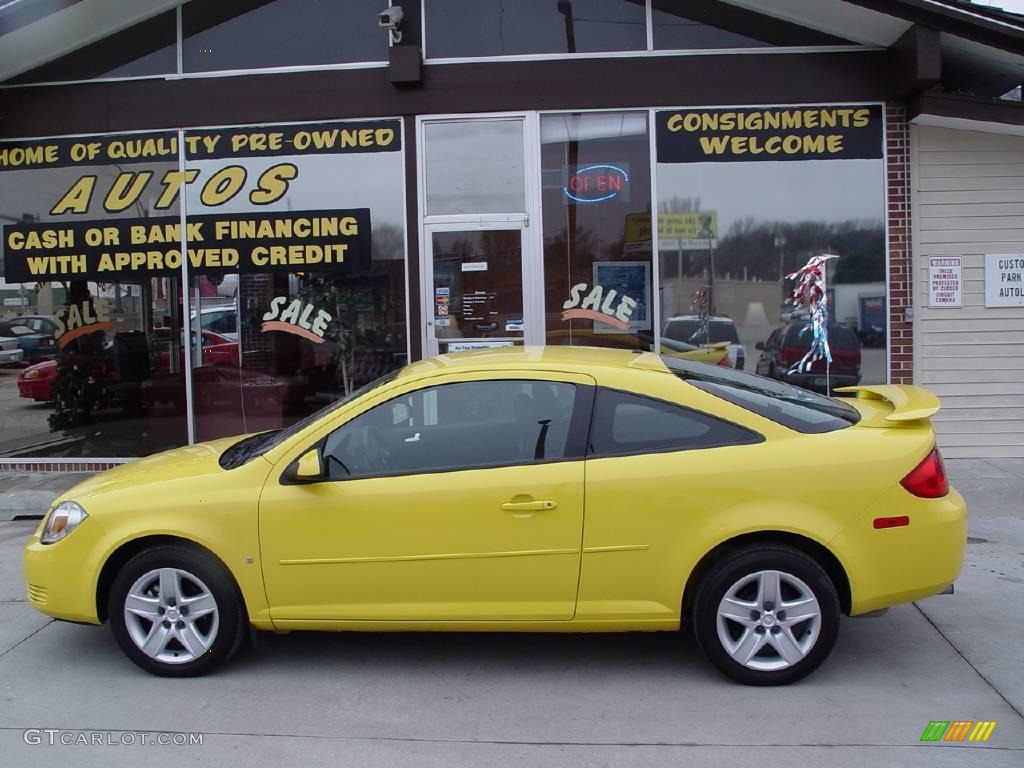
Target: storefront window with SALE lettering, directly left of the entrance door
{"type": "Point", "coordinates": [314, 304]}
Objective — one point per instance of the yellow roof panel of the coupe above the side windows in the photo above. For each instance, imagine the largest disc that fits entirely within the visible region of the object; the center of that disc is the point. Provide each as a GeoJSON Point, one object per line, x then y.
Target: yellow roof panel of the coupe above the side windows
{"type": "Point", "coordinates": [538, 358]}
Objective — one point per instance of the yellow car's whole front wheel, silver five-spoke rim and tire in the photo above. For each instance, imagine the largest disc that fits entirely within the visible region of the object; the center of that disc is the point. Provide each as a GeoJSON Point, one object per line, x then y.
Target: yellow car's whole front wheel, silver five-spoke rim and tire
{"type": "Point", "coordinates": [177, 612]}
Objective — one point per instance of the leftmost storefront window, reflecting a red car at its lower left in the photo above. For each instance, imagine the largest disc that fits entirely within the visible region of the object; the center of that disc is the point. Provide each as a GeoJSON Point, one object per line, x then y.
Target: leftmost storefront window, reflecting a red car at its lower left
{"type": "Point", "coordinates": [99, 332]}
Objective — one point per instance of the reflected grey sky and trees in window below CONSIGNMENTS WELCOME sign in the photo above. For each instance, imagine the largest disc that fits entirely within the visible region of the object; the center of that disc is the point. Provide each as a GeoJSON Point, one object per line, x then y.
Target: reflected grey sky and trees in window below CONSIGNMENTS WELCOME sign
{"type": "Point", "coordinates": [770, 219]}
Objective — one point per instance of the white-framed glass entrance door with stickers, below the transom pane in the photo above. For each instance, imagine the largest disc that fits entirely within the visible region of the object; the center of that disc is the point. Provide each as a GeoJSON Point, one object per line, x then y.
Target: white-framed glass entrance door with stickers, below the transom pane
{"type": "Point", "coordinates": [477, 289]}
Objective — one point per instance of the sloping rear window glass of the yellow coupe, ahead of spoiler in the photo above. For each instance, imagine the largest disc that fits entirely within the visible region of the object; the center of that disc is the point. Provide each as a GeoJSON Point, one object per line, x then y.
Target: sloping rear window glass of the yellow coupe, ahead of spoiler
{"type": "Point", "coordinates": [784, 404]}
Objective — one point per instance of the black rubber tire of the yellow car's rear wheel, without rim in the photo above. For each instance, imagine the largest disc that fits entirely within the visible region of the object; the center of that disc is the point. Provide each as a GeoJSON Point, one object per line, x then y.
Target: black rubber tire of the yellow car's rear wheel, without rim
{"type": "Point", "coordinates": [796, 569]}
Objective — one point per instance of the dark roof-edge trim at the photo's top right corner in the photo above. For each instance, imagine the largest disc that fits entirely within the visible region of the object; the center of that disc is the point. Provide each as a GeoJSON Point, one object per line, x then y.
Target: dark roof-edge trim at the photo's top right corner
{"type": "Point", "coordinates": [982, 28]}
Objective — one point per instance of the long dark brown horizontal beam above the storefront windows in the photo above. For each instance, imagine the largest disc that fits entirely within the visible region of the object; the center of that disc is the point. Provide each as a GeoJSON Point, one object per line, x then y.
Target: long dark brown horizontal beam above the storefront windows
{"type": "Point", "coordinates": [560, 84]}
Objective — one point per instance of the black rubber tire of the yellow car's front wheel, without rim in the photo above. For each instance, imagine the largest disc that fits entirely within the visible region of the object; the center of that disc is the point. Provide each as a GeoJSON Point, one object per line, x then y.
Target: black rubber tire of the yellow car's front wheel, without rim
{"type": "Point", "coordinates": [227, 628]}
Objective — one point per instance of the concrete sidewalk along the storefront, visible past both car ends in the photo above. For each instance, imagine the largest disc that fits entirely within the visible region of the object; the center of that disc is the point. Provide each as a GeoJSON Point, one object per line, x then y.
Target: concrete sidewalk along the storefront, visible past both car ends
{"type": "Point", "coordinates": [30, 495]}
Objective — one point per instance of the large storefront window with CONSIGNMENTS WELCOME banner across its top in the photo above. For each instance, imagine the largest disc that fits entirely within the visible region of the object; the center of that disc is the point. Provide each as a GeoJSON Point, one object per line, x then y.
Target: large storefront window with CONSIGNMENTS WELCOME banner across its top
{"type": "Point", "coordinates": [748, 196]}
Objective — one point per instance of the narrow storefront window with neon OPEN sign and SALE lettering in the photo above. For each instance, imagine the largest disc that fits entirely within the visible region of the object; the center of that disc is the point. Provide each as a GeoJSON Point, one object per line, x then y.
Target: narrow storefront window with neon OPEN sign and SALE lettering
{"type": "Point", "coordinates": [598, 261]}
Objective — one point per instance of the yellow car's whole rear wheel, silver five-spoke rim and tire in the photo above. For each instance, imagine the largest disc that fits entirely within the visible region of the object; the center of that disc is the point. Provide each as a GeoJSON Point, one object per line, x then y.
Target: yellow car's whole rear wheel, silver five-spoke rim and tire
{"type": "Point", "coordinates": [766, 615]}
